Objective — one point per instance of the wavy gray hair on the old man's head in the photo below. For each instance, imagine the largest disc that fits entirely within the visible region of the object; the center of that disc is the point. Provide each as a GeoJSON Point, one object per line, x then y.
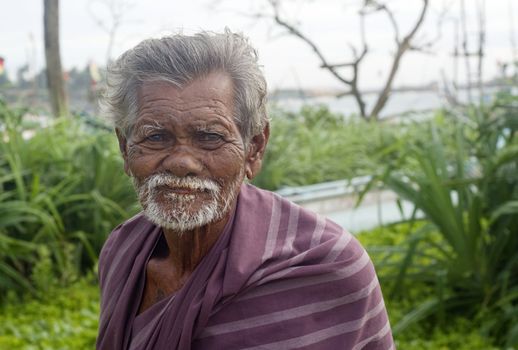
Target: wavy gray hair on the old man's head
{"type": "Point", "coordinates": [180, 59]}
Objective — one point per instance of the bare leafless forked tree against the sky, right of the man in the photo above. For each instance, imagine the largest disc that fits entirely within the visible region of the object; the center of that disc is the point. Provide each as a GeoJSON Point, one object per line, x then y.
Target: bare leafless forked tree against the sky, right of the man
{"type": "Point", "coordinates": [351, 78]}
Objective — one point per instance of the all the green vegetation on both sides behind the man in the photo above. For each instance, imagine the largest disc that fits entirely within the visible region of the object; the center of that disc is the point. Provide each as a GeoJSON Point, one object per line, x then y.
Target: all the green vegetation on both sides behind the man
{"type": "Point", "coordinates": [450, 278]}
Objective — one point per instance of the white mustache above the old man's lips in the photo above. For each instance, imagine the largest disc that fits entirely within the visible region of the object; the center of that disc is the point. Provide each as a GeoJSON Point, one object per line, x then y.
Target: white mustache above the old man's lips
{"type": "Point", "coordinates": [190, 182]}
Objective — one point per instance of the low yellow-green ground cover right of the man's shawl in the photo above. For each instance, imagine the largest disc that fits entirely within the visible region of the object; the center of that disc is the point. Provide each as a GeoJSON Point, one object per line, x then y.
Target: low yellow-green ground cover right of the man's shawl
{"type": "Point", "coordinates": [459, 332]}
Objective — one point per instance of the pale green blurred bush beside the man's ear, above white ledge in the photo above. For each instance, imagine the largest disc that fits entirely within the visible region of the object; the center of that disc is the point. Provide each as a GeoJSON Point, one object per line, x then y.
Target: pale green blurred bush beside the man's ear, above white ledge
{"type": "Point", "coordinates": [315, 145]}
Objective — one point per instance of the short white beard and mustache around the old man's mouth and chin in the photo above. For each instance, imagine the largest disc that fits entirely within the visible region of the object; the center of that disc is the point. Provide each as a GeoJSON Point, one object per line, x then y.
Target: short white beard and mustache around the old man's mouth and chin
{"type": "Point", "coordinates": [177, 212]}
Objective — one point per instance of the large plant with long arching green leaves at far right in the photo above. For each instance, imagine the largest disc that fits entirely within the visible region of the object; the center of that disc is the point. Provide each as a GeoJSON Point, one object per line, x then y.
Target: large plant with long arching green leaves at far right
{"type": "Point", "coordinates": [464, 179]}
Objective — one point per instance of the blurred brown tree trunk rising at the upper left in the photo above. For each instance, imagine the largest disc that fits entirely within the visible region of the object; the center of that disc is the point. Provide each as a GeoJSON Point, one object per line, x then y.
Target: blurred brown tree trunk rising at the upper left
{"type": "Point", "coordinates": [55, 83]}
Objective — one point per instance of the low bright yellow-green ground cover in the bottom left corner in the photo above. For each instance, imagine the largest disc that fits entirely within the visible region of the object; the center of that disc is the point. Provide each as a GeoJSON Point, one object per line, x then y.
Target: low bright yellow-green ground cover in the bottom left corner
{"type": "Point", "coordinates": [63, 318]}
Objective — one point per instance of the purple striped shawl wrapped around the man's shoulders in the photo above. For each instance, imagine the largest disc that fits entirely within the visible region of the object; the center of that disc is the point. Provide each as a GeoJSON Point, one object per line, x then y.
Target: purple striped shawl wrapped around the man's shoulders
{"type": "Point", "coordinates": [279, 277]}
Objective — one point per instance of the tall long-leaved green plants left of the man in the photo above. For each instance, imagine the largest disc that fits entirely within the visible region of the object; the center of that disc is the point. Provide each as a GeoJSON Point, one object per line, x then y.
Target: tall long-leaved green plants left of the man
{"type": "Point", "coordinates": [63, 189]}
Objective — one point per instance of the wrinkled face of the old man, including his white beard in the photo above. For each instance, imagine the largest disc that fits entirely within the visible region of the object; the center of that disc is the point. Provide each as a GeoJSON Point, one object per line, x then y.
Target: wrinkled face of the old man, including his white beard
{"type": "Point", "coordinates": [186, 153]}
